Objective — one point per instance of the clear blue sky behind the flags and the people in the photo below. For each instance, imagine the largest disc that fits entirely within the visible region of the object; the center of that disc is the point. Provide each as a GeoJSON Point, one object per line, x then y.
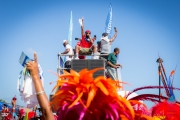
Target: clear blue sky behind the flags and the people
{"type": "Point", "coordinates": [146, 28]}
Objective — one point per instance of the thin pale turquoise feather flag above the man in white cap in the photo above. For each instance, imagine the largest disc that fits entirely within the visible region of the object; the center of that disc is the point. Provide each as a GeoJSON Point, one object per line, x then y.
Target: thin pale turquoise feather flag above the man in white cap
{"type": "Point", "coordinates": [70, 29]}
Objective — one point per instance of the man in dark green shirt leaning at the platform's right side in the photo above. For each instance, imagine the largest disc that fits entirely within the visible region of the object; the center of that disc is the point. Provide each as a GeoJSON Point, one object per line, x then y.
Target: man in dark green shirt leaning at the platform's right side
{"type": "Point", "coordinates": [112, 64]}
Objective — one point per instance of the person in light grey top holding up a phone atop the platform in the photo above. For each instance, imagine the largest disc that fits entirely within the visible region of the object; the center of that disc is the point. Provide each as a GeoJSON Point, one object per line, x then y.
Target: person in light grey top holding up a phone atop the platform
{"type": "Point", "coordinates": [106, 43]}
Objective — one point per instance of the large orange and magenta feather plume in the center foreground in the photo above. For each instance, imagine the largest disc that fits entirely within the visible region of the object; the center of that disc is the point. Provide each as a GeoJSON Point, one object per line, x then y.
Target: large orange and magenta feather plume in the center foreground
{"type": "Point", "coordinates": [81, 97]}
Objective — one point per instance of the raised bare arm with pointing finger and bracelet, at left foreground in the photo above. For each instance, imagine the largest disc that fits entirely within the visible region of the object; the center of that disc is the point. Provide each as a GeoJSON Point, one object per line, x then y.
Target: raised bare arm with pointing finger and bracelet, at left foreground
{"type": "Point", "coordinates": [42, 98]}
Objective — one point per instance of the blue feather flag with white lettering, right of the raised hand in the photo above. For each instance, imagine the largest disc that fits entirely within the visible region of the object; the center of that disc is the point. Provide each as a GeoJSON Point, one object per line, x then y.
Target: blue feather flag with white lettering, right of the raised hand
{"type": "Point", "coordinates": [108, 24]}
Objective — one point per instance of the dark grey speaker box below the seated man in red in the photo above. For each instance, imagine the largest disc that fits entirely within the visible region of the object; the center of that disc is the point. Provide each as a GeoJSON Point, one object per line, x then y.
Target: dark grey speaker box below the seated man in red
{"type": "Point", "coordinates": [80, 64]}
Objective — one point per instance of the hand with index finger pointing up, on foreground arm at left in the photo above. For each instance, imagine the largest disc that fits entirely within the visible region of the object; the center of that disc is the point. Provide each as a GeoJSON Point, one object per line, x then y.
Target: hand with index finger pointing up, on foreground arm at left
{"type": "Point", "coordinates": [32, 66]}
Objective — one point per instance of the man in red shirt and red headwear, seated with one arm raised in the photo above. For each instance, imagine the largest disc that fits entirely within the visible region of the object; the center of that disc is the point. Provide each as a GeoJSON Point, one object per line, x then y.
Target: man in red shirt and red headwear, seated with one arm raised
{"type": "Point", "coordinates": [85, 45]}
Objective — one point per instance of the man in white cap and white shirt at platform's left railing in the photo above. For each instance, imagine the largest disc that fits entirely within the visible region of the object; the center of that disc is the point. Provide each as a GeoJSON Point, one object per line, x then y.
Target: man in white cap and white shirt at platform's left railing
{"type": "Point", "coordinates": [68, 51]}
